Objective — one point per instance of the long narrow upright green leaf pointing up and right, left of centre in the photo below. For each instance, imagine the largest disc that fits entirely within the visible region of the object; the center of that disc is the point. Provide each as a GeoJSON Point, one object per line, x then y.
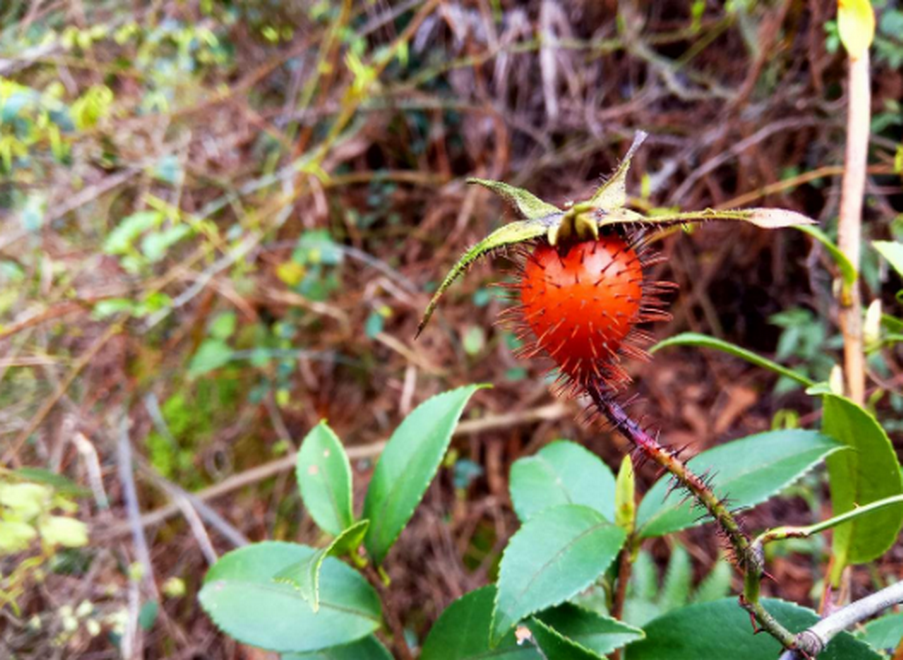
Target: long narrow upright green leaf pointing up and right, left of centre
{"type": "Point", "coordinates": [407, 465]}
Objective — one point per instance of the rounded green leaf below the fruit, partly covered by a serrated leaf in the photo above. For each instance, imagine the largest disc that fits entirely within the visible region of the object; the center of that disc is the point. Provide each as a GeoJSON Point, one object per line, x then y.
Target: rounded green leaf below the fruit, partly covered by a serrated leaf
{"type": "Point", "coordinates": [562, 472]}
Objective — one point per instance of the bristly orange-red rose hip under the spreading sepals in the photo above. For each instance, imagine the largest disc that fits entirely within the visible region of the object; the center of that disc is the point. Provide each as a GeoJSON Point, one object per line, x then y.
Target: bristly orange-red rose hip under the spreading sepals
{"type": "Point", "coordinates": [582, 302]}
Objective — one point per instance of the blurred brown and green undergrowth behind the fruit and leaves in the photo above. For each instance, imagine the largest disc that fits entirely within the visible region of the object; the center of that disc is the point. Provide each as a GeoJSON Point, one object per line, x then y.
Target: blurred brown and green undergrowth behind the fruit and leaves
{"type": "Point", "coordinates": [221, 221]}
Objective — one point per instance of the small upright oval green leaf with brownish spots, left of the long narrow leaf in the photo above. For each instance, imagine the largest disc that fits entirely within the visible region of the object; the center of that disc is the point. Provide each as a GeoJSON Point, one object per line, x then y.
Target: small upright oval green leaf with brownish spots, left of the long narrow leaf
{"type": "Point", "coordinates": [324, 479]}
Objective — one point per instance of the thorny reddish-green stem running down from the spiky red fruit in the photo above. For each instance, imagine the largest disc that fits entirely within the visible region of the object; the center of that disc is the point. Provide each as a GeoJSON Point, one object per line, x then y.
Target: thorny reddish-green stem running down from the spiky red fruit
{"type": "Point", "coordinates": [748, 556]}
